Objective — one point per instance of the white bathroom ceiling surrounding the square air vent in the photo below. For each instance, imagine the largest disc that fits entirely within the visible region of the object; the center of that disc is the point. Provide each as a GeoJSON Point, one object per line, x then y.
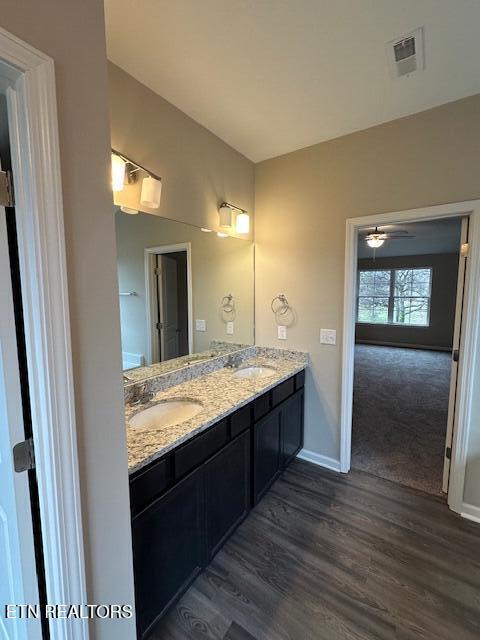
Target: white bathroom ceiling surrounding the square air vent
{"type": "Point", "coordinates": [271, 76]}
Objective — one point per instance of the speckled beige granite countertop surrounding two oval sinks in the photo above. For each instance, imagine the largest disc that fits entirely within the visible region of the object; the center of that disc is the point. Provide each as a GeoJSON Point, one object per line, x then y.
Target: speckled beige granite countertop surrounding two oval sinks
{"type": "Point", "coordinates": [220, 393]}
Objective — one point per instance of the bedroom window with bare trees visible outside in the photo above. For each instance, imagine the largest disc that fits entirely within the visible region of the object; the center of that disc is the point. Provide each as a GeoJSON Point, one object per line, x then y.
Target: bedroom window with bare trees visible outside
{"type": "Point", "coordinates": [395, 296]}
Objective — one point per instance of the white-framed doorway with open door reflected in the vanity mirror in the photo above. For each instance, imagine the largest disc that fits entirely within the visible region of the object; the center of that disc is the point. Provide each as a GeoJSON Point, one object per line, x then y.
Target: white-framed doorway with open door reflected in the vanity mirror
{"type": "Point", "coordinates": [169, 303]}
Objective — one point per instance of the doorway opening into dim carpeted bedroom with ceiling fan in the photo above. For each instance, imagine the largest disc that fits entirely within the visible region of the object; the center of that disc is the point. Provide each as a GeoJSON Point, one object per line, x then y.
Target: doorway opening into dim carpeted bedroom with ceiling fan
{"type": "Point", "coordinates": [408, 276]}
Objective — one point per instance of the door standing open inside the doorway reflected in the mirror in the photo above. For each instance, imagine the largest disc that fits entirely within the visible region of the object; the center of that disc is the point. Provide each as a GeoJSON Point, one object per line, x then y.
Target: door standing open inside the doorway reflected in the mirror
{"type": "Point", "coordinates": [168, 299]}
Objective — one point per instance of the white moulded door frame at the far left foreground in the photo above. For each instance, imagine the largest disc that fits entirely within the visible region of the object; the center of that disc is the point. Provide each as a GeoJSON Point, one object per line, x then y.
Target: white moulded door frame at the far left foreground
{"type": "Point", "coordinates": [33, 127]}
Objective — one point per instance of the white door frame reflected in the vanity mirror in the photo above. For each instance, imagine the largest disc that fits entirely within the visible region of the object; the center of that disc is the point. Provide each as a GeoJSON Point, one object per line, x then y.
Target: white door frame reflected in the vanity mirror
{"type": "Point", "coordinates": [150, 295]}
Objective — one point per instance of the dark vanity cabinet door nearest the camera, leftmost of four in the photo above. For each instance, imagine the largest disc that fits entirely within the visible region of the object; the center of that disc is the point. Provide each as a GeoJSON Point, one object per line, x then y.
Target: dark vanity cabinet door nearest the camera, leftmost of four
{"type": "Point", "coordinates": [167, 548]}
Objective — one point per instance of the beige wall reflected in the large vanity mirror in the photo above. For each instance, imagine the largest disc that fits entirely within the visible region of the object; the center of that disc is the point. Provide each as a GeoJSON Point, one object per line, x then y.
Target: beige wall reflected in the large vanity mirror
{"type": "Point", "coordinates": [219, 266]}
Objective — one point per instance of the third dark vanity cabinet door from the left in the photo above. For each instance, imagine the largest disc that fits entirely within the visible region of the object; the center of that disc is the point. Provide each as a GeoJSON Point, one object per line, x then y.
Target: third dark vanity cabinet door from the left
{"type": "Point", "coordinates": [266, 453]}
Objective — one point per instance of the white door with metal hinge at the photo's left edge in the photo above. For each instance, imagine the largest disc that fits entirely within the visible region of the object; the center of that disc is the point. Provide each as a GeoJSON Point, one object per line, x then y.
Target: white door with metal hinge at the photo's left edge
{"type": "Point", "coordinates": [18, 578]}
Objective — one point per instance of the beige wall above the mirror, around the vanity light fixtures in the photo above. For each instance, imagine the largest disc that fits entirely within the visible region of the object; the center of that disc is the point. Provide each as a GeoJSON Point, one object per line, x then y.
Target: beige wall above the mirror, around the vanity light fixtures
{"type": "Point", "coordinates": [198, 170]}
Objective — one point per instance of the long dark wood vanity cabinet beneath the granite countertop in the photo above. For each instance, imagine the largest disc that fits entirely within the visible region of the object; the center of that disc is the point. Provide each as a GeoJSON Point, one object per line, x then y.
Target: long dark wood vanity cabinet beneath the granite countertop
{"type": "Point", "coordinates": [186, 504]}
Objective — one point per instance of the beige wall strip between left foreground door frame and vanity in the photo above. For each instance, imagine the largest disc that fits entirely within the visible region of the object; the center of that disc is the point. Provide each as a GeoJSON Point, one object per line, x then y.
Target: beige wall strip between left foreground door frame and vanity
{"type": "Point", "coordinates": [72, 33]}
